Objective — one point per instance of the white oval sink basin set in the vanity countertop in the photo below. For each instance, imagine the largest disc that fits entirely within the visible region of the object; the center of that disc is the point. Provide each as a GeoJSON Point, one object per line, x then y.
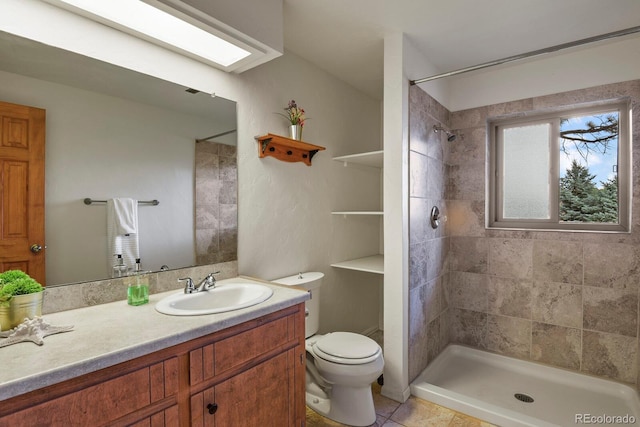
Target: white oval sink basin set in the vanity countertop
{"type": "Point", "coordinates": [220, 299]}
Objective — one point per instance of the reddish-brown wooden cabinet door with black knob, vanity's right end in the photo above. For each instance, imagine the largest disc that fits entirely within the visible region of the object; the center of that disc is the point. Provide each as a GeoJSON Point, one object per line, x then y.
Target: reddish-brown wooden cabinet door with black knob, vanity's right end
{"type": "Point", "coordinates": [262, 396]}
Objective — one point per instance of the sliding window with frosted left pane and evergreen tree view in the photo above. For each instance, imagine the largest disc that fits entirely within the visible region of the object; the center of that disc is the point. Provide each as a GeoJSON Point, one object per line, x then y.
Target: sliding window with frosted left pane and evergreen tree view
{"type": "Point", "coordinates": [566, 170]}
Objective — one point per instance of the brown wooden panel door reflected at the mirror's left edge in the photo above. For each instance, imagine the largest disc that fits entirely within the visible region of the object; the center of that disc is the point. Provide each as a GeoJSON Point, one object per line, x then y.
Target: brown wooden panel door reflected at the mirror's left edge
{"type": "Point", "coordinates": [22, 139]}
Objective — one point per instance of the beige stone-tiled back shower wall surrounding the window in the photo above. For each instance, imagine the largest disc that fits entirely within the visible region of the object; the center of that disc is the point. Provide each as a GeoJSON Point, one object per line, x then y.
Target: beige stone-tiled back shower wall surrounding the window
{"type": "Point", "coordinates": [561, 298]}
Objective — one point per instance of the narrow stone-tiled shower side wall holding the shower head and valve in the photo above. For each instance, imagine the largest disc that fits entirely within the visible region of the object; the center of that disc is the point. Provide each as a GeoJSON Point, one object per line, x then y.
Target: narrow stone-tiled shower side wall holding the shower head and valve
{"type": "Point", "coordinates": [429, 248]}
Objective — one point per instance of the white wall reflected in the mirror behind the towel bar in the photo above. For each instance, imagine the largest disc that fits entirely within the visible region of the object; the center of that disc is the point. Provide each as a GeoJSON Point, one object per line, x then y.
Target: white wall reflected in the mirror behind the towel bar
{"type": "Point", "coordinates": [101, 147]}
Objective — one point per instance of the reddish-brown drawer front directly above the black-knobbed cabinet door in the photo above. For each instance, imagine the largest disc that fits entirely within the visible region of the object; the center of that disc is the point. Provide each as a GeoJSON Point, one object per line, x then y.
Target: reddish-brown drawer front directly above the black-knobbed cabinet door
{"type": "Point", "coordinates": [235, 351]}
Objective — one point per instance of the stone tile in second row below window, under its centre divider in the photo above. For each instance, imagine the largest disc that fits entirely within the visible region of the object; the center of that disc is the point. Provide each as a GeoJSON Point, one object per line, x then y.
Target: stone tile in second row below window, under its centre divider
{"type": "Point", "coordinates": [557, 304]}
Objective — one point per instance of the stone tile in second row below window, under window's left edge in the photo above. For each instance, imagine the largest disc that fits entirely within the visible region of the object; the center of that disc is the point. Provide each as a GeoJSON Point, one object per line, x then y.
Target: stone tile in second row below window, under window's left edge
{"type": "Point", "coordinates": [509, 297]}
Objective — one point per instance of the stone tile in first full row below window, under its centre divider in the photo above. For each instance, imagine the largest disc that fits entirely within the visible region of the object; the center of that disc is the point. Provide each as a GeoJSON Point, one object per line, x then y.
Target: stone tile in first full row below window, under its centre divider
{"type": "Point", "coordinates": [557, 261]}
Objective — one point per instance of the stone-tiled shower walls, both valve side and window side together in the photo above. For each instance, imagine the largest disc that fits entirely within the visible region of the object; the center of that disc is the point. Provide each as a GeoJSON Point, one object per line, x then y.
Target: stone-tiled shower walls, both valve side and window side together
{"type": "Point", "coordinates": [567, 299]}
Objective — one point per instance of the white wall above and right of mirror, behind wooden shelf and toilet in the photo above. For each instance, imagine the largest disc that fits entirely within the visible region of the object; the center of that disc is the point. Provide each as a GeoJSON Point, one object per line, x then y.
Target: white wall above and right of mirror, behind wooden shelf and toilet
{"type": "Point", "coordinates": [285, 221]}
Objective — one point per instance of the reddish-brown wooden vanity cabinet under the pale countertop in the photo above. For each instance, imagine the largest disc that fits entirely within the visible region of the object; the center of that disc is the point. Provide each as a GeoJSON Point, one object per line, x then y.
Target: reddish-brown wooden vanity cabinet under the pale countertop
{"type": "Point", "coordinates": [251, 374]}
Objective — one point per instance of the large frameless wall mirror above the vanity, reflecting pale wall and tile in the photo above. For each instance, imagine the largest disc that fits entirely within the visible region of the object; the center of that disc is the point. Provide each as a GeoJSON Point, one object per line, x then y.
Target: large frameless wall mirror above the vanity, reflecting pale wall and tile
{"type": "Point", "coordinates": [113, 132]}
